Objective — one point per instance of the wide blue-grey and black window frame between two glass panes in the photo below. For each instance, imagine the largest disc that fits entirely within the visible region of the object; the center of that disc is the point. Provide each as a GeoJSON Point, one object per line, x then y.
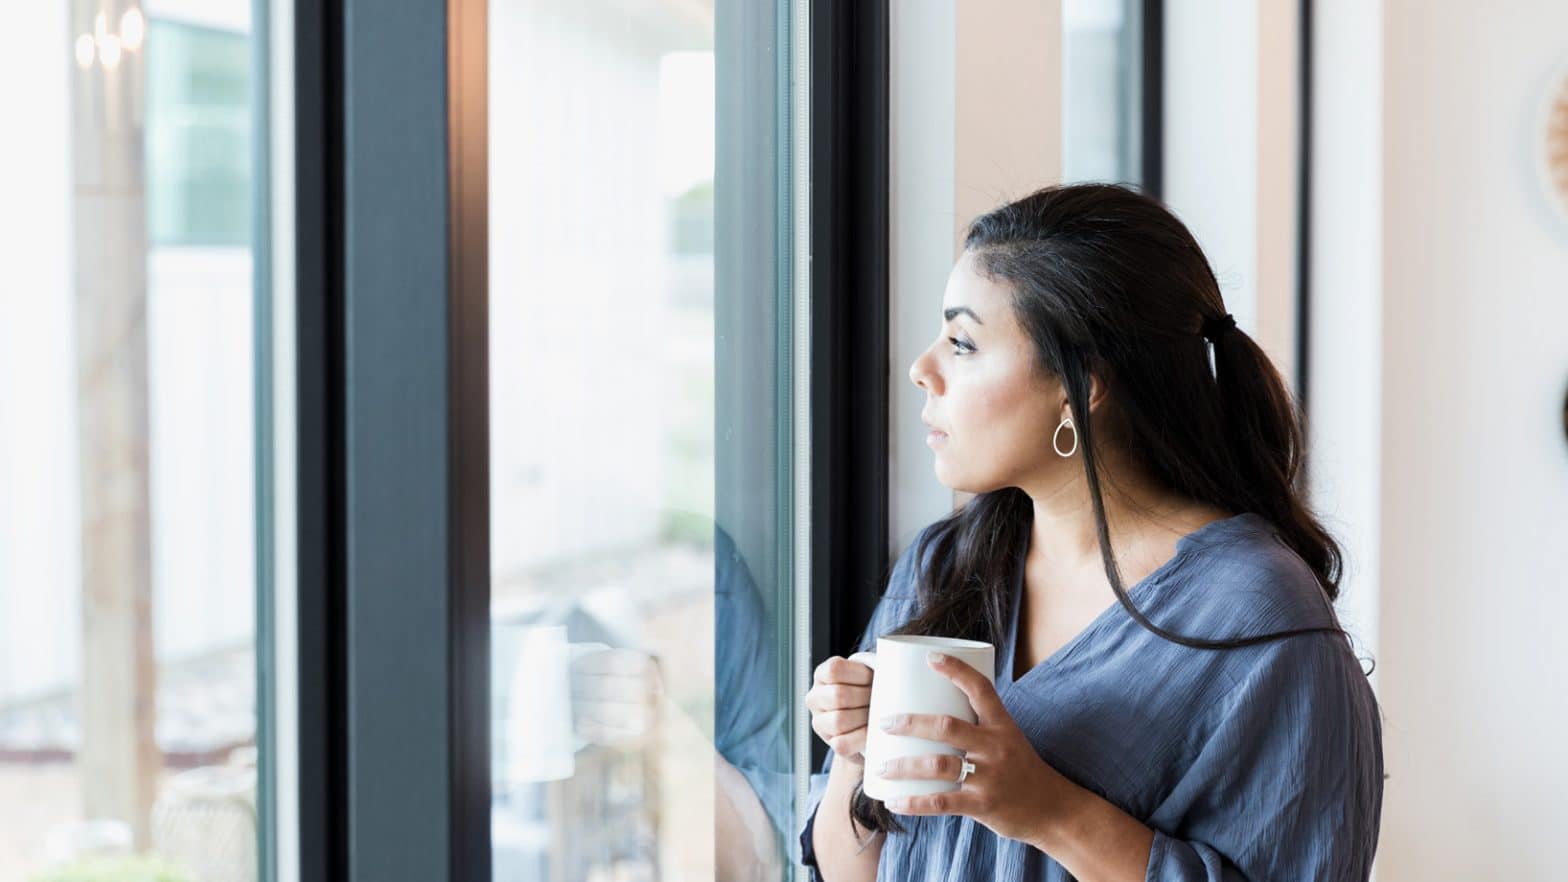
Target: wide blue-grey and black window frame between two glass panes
{"type": "Point", "coordinates": [393, 442]}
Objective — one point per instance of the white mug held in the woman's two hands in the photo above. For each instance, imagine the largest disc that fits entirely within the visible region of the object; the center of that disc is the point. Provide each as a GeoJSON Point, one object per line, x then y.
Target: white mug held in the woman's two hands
{"type": "Point", "coordinates": [906, 683]}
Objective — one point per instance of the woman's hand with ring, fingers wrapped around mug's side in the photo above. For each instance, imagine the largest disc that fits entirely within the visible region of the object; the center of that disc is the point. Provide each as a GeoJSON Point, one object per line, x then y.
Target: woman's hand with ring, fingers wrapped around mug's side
{"type": "Point", "coordinates": [1012, 792]}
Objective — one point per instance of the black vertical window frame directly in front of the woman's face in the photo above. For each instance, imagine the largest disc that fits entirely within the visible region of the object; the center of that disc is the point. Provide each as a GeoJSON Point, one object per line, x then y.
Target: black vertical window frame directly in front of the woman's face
{"type": "Point", "coordinates": [851, 346]}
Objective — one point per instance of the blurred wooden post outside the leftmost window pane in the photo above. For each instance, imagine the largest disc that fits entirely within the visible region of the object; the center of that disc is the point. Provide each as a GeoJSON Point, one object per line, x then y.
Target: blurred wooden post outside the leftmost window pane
{"type": "Point", "coordinates": [120, 759]}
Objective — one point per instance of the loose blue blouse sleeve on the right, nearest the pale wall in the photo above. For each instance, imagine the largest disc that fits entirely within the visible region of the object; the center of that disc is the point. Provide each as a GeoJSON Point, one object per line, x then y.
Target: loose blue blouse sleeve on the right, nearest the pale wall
{"type": "Point", "coordinates": [1290, 782]}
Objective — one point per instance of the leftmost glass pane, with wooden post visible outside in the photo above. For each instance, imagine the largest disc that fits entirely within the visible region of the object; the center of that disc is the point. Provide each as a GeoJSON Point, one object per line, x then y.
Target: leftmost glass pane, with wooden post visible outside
{"type": "Point", "coordinates": [128, 456]}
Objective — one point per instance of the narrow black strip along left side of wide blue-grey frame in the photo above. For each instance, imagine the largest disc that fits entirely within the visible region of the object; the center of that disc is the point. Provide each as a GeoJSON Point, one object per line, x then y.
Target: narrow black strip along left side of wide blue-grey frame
{"type": "Point", "coordinates": [319, 421]}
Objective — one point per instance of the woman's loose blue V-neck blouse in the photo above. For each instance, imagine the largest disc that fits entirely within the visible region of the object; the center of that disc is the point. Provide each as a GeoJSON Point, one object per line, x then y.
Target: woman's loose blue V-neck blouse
{"type": "Point", "coordinates": [1260, 764]}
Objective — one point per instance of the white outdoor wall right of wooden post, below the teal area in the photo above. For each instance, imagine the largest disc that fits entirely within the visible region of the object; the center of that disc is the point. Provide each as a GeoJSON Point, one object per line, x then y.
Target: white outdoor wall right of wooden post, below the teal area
{"type": "Point", "coordinates": [201, 429]}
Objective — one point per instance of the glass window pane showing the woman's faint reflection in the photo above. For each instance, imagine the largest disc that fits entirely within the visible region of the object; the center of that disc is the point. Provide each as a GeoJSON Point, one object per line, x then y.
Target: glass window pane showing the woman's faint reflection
{"type": "Point", "coordinates": [641, 312]}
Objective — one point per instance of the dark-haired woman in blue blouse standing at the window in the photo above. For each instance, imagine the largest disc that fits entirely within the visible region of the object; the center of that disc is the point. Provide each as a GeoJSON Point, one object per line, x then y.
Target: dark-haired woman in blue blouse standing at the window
{"type": "Point", "coordinates": [1174, 694]}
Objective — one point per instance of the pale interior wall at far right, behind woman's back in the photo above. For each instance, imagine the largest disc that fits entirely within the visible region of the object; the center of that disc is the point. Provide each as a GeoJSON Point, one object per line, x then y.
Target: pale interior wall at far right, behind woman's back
{"type": "Point", "coordinates": [1448, 451]}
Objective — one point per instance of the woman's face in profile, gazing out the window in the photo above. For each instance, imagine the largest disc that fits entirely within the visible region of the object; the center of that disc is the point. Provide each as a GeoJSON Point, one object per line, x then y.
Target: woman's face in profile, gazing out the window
{"type": "Point", "coordinates": [993, 414]}
